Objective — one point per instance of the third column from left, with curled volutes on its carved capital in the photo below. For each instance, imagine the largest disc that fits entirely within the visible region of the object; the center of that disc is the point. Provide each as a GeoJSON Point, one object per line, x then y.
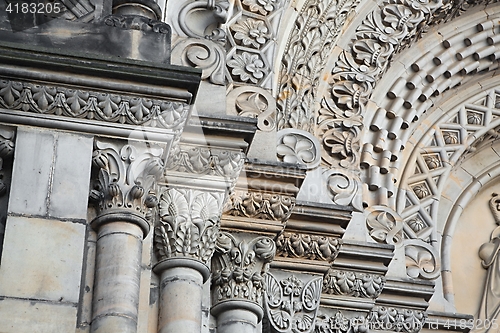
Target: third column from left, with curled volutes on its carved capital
{"type": "Point", "coordinates": [237, 281]}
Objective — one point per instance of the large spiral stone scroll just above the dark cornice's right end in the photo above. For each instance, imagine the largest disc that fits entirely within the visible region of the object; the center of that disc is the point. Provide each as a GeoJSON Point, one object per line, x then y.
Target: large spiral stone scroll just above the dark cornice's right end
{"type": "Point", "coordinates": [203, 54]}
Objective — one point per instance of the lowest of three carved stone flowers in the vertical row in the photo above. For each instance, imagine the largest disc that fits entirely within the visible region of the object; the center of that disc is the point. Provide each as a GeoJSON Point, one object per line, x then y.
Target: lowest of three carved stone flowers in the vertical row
{"type": "Point", "coordinates": [248, 66]}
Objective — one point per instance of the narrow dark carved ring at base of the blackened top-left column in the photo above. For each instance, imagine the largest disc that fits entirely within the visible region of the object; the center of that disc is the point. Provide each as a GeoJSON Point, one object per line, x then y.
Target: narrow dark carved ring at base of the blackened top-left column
{"type": "Point", "coordinates": [134, 22]}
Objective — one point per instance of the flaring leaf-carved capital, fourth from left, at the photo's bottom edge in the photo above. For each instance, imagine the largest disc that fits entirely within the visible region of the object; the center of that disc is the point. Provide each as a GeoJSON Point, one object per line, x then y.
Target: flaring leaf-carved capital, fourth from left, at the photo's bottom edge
{"type": "Point", "coordinates": [291, 304]}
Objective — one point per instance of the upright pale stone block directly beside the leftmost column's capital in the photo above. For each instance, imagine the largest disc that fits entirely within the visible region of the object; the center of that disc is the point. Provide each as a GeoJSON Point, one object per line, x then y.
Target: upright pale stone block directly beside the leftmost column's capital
{"type": "Point", "coordinates": [70, 186]}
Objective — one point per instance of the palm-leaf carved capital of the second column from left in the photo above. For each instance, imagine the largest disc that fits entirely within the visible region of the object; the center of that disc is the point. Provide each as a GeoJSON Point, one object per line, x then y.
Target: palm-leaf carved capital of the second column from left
{"type": "Point", "coordinates": [188, 224]}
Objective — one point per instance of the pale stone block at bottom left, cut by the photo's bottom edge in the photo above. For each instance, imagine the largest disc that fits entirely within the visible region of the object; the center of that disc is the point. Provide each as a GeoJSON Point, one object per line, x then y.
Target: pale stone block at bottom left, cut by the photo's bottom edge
{"type": "Point", "coordinates": [25, 316]}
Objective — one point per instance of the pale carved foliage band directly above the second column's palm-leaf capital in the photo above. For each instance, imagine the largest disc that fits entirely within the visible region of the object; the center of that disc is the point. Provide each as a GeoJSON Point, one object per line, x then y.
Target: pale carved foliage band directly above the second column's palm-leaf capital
{"type": "Point", "coordinates": [201, 160]}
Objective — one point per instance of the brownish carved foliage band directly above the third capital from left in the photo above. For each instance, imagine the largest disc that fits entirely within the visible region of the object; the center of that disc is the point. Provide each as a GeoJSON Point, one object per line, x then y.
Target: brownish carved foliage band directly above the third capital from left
{"type": "Point", "coordinates": [261, 205]}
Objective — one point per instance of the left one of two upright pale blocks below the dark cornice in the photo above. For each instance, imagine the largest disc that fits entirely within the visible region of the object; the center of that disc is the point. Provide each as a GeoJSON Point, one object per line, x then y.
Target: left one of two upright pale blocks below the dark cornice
{"type": "Point", "coordinates": [31, 172]}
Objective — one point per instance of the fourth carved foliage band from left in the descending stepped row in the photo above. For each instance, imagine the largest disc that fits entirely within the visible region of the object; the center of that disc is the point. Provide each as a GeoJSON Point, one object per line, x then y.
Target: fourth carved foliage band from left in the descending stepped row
{"type": "Point", "coordinates": [347, 283]}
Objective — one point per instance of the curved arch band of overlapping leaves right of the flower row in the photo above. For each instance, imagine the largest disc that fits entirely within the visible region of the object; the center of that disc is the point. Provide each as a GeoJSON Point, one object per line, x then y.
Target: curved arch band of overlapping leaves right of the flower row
{"type": "Point", "coordinates": [306, 53]}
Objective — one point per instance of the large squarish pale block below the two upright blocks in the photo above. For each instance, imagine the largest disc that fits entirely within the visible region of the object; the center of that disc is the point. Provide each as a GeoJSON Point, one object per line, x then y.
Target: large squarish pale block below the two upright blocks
{"type": "Point", "coordinates": [42, 259]}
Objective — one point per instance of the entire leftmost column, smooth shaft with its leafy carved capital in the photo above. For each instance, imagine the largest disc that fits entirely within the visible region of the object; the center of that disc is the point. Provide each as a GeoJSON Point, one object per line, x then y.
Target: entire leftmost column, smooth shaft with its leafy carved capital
{"type": "Point", "coordinates": [125, 175]}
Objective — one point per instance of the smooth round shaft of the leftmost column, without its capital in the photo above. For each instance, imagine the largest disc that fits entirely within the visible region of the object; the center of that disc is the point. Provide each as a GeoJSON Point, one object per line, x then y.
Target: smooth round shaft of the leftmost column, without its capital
{"type": "Point", "coordinates": [117, 278]}
